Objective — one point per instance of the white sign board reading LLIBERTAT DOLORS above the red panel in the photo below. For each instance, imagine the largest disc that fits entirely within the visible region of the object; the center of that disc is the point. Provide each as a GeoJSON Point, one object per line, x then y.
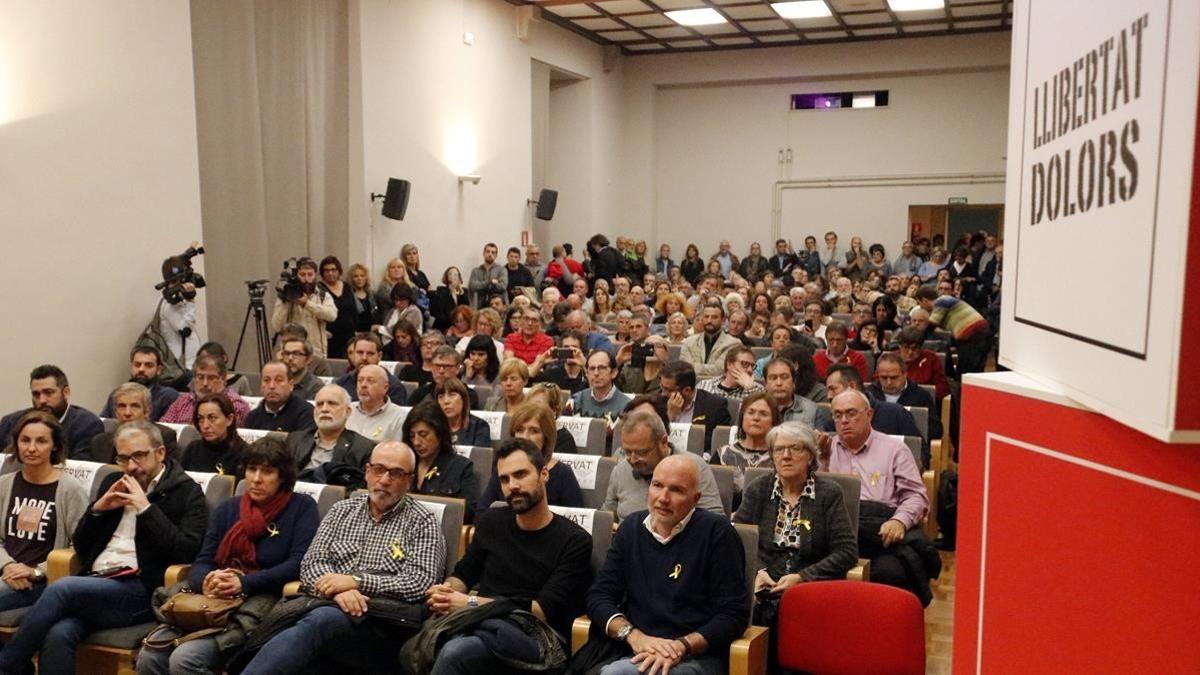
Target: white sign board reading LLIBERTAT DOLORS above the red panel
{"type": "Point", "coordinates": [1101, 296]}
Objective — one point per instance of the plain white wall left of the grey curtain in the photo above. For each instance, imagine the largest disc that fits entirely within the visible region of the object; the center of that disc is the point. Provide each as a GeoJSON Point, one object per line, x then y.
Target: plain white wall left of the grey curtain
{"type": "Point", "coordinates": [99, 182]}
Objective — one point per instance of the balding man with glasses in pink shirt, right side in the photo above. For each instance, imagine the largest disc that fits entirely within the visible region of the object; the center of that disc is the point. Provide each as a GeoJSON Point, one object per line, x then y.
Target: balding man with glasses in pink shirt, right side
{"type": "Point", "coordinates": [893, 500]}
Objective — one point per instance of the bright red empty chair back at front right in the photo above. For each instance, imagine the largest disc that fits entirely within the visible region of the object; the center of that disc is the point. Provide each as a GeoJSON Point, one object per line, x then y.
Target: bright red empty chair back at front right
{"type": "Point", "coordinates": [837, 644]}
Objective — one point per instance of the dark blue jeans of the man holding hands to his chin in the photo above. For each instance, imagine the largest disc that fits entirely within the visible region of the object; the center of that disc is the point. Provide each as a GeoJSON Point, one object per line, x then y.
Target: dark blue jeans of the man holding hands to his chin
{"type": "Point", "coordinates": [68, 611]}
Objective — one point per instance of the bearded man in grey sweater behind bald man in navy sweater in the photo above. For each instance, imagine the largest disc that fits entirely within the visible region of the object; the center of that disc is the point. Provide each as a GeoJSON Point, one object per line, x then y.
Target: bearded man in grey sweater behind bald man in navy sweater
{"type": "Point", "coordinates": [645, 444]}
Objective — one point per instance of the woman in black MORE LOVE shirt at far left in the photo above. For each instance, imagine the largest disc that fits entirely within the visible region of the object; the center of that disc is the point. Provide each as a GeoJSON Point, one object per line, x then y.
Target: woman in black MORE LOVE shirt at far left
{"type": "Point", "coordinates": [44, 506]}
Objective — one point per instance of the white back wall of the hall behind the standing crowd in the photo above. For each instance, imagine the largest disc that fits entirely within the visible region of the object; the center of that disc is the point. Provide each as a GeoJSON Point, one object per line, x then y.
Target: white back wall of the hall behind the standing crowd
{"type": "Point", "coordinates": [704, 133]}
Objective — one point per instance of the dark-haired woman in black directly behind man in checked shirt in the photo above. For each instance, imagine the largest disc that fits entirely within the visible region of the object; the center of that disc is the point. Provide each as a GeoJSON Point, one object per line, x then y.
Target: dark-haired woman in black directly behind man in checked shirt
{"type": "Point", "coordinates": [440, 470]}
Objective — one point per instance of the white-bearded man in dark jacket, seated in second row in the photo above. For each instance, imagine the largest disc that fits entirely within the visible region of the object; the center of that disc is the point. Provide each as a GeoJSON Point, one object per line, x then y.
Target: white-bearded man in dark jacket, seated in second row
{"type": "Point", "coordinates": [333, 443]}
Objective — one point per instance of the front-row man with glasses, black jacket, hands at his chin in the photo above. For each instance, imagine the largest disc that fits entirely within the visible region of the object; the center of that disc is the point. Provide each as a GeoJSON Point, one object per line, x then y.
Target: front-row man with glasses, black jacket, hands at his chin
{"type": "Point", "coordinates": [146, 519]}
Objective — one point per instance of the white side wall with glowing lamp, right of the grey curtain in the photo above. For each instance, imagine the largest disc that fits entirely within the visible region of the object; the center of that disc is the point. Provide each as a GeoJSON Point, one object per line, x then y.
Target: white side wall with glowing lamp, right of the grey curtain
{"type": "Point", "coordinates": [434, 107]}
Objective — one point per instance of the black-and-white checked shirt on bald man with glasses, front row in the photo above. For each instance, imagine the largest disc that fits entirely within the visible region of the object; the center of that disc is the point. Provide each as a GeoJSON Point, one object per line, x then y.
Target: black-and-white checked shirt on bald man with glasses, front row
{"type": "Point", "coordinates": [399, 557]}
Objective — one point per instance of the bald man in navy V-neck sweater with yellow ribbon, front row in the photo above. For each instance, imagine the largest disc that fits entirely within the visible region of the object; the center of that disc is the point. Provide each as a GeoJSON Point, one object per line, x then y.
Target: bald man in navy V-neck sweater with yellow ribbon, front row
{"type": "Point", "coordinates": [673, 593]}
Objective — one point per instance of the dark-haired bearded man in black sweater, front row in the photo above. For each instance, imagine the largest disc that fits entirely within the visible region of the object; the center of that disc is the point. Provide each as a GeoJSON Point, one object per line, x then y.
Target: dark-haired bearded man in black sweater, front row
{"type": "Point", "coordinates": [525, 554]}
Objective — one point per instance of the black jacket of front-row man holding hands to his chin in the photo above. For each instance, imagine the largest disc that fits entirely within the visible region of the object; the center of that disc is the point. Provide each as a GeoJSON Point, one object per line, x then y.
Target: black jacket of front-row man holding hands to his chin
{"type": "Point", "coordinates": [170, 533]}
